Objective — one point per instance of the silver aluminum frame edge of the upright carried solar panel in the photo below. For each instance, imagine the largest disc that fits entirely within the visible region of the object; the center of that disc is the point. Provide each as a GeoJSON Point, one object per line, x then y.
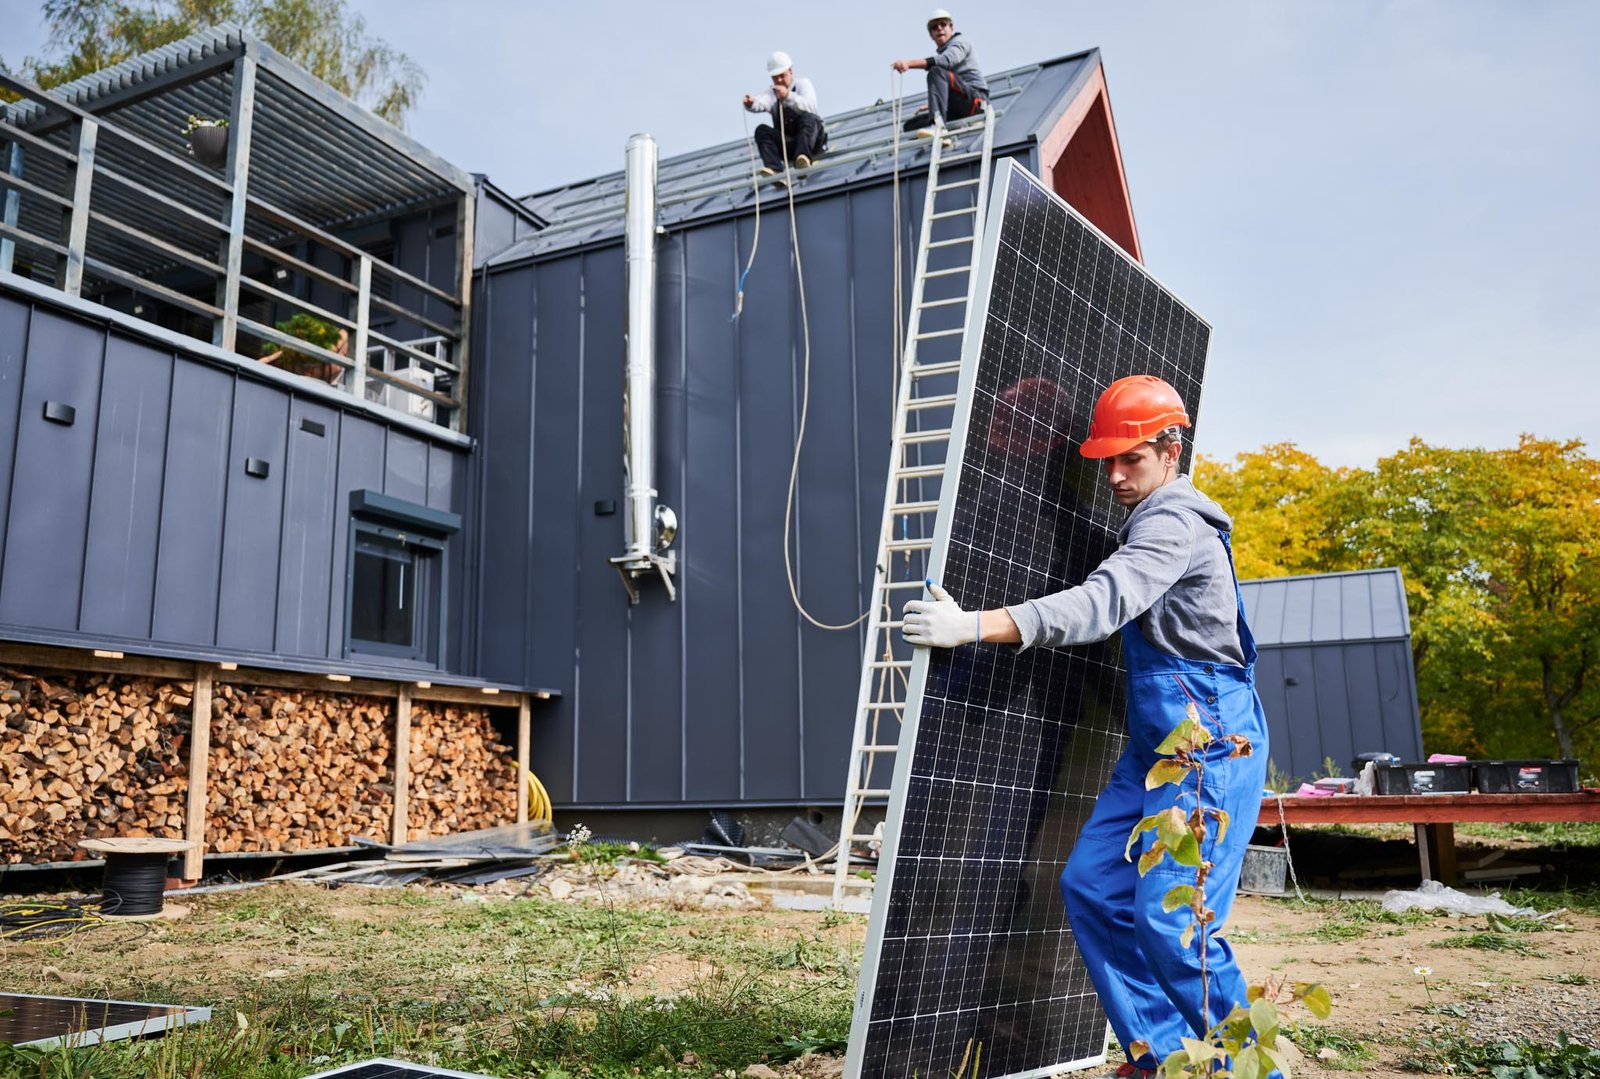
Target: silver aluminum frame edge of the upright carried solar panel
{"type": "Point", "coordinates": [967, 383]}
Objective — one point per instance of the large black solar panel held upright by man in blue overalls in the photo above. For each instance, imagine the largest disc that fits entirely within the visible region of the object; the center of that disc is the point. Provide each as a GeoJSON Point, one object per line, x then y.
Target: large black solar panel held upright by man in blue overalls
{"type": "Point", "coordinates": [970, 968]}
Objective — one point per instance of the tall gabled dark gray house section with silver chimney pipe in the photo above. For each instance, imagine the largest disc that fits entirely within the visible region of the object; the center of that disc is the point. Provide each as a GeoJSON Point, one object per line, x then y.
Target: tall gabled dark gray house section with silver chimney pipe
{"type": "Point", "coordinates": [727, 696]}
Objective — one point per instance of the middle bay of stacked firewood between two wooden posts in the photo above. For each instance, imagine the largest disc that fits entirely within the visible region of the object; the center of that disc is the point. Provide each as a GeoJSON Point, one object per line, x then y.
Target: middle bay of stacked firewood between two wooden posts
{"type": "Point", "coordinates": [298, 771]}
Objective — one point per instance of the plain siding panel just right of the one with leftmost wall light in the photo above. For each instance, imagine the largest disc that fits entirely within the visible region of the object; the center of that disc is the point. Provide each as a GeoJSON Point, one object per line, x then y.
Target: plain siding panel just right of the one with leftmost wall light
{"type": "Point", "coordinates": [126, 515]}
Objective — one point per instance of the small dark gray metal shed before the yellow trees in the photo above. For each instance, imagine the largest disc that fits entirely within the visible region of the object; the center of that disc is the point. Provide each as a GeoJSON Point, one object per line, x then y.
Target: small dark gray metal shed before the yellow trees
{"type": "Point", "coordinates": [1335, 672]}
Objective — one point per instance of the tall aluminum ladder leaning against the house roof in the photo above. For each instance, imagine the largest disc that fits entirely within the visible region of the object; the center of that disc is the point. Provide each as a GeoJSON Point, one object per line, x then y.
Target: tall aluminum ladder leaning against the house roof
{"type": "Point", "coordinates": [942, 297]}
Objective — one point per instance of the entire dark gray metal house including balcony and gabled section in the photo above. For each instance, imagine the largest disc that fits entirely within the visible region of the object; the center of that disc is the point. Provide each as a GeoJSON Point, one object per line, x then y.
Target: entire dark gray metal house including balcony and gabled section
{"type": "Point", "coordinates": [434, 489]}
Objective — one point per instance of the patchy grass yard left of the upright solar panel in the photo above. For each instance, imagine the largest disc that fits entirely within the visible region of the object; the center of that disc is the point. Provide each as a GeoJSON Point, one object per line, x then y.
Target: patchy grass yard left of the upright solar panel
{"type": "Point", "coordinates": [305, 981]}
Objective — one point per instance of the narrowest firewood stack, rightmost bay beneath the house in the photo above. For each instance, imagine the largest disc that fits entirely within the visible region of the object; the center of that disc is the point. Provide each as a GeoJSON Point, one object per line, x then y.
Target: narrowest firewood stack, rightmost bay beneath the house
{"type": "Point", "coordinates": [463, 776]}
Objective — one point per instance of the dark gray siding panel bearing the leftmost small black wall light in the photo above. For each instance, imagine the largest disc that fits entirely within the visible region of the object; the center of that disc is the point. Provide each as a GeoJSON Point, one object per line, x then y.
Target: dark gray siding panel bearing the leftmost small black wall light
{"type": "Point", "coordinates": [42, 577]}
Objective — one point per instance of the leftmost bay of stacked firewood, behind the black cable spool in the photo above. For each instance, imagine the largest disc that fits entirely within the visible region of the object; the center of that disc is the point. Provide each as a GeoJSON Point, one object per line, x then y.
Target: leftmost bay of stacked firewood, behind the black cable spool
{"type": "Point", "coordinates": [86, 756]}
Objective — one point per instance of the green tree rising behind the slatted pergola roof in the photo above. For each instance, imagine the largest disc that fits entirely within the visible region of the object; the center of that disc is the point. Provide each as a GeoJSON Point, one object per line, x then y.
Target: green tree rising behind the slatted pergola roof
{"type": "Point", "coordinates": [322, 36]}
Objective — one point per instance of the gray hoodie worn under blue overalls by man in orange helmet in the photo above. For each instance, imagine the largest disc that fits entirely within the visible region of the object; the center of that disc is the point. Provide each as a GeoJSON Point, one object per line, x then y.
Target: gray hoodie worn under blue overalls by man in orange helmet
{"type": "Point", "coordinates": [1170, 572]}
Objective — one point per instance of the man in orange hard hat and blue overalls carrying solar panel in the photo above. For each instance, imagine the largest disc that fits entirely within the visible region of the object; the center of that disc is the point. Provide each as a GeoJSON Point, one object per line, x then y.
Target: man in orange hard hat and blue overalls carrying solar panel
{"type": "Point", "coordinates": [1170, 590]}
